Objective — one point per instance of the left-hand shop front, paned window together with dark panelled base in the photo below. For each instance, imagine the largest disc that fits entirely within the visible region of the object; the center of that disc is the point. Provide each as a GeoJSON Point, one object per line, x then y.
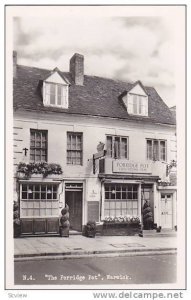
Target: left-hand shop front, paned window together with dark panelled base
{"type": "Point", "coordinates": [39, 207]}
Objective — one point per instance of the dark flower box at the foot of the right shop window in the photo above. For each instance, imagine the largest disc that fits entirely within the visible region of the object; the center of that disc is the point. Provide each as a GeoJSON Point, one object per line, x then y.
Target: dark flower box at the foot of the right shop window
{"type": "Point", "coordinates": [120, 229]}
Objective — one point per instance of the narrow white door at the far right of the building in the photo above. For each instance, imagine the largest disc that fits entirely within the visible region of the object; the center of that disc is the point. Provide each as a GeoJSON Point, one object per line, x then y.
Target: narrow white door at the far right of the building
{"type": "Point", "coordinates": [166, 211]}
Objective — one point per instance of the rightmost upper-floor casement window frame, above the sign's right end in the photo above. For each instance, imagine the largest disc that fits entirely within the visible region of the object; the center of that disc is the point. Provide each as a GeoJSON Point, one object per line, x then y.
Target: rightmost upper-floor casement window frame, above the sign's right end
{"type": "Point", "coordinates": [159, 154]}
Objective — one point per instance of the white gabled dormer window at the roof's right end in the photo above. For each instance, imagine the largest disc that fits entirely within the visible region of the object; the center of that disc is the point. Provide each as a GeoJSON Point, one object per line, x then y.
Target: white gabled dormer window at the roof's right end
{"type": "Point", "coordinates": [136, 100]}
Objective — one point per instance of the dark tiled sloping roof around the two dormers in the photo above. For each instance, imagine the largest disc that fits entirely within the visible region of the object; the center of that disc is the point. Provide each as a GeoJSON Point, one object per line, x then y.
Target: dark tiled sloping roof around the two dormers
{"type": "Point", "coordinates": [97, 97]}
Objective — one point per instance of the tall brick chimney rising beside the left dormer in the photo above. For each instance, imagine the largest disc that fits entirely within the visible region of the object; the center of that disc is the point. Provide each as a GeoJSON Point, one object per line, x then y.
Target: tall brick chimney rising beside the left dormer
{"type": "Point", "coordinates": [77, 68]}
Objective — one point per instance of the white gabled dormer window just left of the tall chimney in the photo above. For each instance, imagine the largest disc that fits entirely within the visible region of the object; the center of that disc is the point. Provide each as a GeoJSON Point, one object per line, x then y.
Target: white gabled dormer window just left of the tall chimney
{"type": "Point", "coordinates": [55, 90]}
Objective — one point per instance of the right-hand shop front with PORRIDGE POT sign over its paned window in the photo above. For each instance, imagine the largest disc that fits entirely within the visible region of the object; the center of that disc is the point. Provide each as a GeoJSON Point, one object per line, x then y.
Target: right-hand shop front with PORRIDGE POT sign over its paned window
{"type": "Point", "coordinates": [126, 187]}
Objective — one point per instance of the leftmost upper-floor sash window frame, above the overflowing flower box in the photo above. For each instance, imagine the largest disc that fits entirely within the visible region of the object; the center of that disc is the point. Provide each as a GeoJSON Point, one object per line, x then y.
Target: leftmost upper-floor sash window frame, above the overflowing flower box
{"type": "Point", "coordinates": [41, 131]}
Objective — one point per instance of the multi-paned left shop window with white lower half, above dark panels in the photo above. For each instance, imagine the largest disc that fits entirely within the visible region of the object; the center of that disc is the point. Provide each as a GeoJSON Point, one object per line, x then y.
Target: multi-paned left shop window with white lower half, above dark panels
{"type": "Point", "coordinates": [39, 200]}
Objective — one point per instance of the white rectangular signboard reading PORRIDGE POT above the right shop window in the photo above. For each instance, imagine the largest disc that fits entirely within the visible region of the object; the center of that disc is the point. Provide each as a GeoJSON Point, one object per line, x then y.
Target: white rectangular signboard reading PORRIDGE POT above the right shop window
{"type": "Point", "coordinates": [124, 166]}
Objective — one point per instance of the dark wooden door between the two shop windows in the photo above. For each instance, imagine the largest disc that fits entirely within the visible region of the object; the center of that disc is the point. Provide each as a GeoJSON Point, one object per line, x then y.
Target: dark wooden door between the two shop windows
{"type": "Point", "coordinates": [74, 201]}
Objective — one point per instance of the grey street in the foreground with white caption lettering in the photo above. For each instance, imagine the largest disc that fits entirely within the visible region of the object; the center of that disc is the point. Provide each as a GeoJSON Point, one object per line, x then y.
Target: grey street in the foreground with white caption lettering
{"type": "Point", "coordinates": [148, 269]}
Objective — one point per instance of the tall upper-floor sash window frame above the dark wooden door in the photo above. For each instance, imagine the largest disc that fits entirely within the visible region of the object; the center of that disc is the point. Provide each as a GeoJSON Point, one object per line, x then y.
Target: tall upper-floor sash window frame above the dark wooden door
{"type": "Point", "coordinates": [80, 151]}
